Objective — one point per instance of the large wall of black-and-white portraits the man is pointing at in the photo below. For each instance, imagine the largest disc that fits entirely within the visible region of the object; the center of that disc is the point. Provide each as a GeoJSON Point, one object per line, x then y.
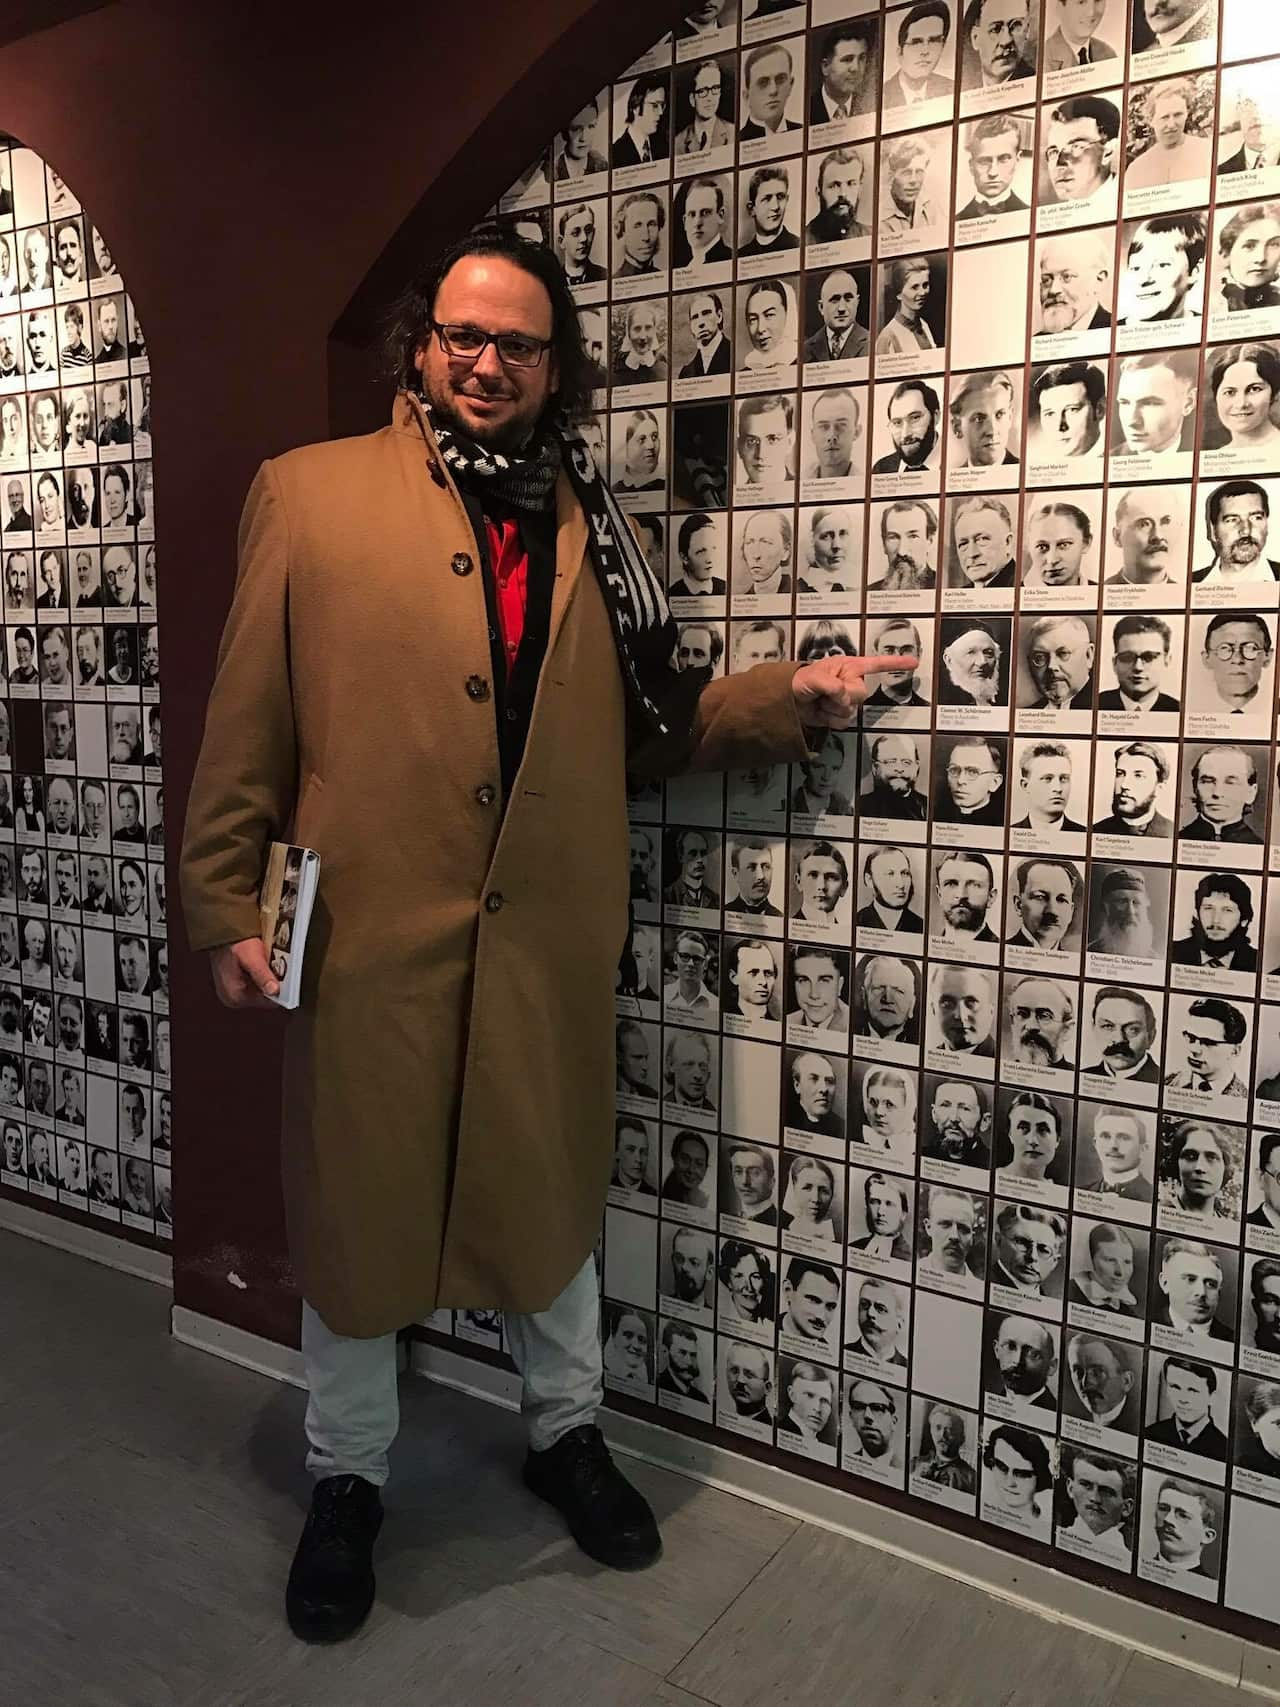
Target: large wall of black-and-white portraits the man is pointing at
{"type": "Point", "coordinates": [948, 1141]}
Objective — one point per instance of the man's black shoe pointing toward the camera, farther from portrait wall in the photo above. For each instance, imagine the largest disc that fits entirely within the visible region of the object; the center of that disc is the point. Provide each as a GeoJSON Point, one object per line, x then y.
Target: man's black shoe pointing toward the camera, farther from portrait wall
{"type": "Point", "coordinates": [332, 1578]}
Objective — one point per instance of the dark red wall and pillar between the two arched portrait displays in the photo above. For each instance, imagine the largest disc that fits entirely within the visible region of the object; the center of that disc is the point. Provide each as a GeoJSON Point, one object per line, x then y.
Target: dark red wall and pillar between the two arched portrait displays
{"type": "Point", "coordinates": [265, 173]}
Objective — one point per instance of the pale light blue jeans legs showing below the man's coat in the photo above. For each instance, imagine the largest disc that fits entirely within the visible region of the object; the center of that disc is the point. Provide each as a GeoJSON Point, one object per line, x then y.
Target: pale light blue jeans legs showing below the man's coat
{"type": "Point", "coordinates": [354, 1407]}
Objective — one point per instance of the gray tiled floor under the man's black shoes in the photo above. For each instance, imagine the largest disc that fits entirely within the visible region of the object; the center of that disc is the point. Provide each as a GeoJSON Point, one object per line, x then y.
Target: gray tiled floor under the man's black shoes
{"type": "Point", "coordinates": [153, 1496]}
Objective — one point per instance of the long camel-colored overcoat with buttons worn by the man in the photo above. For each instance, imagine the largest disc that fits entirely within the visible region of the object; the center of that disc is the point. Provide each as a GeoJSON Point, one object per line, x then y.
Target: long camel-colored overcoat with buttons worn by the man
{"type": "Point", "coordinates": [450, 1076]}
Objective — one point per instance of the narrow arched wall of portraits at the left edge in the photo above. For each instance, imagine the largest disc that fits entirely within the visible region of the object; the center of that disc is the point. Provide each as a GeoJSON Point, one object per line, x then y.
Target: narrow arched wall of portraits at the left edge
{"type": "Point", "coordinates": [84, 962]}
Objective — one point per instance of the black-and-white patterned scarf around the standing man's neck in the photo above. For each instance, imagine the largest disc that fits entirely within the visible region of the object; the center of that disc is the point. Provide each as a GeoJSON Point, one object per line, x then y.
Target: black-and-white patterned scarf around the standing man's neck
{"type": "Point", "coordinates": [644, 631]}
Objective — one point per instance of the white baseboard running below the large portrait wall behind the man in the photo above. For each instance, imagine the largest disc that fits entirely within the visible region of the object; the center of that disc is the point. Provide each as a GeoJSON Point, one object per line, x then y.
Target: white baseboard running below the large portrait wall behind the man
{"type": "Point", "coordinates": [1035, 1588]}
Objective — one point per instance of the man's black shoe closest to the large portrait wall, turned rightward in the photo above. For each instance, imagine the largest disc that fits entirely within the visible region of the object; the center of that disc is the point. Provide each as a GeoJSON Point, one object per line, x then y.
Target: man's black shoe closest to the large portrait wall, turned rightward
{"type": "Point", "coordinates": [607, 1517]}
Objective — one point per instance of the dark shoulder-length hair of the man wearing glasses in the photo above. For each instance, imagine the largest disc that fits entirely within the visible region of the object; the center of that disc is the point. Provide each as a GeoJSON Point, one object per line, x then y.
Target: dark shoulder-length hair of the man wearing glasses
{"type": "Point", "coordinates": [412, 313]}
